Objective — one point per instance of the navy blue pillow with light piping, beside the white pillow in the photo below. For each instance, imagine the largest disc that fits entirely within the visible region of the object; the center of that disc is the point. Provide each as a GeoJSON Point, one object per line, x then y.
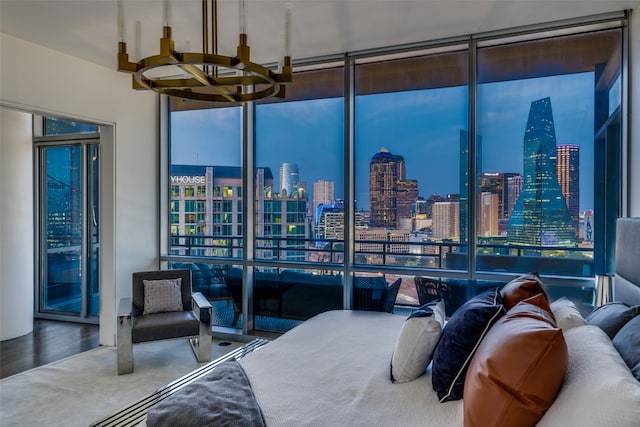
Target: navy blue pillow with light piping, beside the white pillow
{"type": "Point", "coordinates": [459, 340]}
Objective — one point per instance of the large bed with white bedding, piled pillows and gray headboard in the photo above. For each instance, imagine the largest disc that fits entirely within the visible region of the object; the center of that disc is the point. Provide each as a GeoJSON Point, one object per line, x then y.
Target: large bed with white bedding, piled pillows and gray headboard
{"type": "Point", "coordinates": [335, 370]}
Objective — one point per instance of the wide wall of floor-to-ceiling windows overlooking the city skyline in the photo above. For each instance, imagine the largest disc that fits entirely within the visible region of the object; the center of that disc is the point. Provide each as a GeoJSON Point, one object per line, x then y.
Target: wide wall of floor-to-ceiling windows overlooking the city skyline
{"type": "Point", "coordinates": [451, 166]}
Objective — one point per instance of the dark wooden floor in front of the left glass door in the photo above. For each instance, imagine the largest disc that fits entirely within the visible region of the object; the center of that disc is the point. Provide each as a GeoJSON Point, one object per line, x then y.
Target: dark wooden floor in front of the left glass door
{"type": "Point", "coordinates": [50, 340]}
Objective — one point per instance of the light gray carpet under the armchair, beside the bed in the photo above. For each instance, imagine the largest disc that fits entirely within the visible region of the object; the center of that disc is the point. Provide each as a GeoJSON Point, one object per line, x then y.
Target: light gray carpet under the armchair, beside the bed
{"type": "Point", "coordinates": [84, 388]}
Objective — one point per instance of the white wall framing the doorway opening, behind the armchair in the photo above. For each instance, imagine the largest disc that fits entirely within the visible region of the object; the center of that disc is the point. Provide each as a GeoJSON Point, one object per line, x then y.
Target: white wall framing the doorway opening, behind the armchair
{"type": "Point", "coordinates": [40, 80]}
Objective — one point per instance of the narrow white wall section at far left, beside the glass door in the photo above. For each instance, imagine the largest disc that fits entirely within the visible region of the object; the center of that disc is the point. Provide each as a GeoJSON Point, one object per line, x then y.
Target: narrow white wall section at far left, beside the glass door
{"type": "Point", "coordinates": [16, 224]}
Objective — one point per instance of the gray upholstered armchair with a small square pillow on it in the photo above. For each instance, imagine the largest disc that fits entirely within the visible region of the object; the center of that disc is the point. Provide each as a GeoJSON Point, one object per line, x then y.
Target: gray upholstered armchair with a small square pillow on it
{"type": "Point", "coordinates": [162, 307]}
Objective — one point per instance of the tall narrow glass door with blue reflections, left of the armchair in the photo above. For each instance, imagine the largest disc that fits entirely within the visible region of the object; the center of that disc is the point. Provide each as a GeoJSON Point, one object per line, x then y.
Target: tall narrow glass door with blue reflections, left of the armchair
{"type": "Point", "coordinates": [68, 158]}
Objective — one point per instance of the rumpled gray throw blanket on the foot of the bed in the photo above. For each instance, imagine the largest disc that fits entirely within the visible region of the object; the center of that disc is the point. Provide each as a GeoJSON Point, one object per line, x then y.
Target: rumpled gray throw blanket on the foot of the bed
{"type": "Point", "coordinates": [222, 398]}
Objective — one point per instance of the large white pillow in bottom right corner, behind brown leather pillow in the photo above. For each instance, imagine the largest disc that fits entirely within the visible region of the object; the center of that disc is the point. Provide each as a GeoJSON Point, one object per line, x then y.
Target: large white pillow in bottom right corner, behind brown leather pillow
{"type": "Point", "coordinates": [598, 389]}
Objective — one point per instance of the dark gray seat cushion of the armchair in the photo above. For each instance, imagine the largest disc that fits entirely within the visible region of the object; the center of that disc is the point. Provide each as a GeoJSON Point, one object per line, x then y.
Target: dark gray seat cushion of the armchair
{"type": "Point", "coordinates": [162, 326]}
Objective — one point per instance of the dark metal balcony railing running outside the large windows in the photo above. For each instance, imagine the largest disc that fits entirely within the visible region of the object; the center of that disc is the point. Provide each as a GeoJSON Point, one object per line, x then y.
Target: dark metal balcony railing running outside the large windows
{"type": "Point", "coordinates": [570, 261]}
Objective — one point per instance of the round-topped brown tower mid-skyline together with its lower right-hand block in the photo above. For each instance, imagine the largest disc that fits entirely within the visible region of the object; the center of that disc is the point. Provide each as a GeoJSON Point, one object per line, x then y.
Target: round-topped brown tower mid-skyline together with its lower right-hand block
{"type": "Point", "coordinates": [386, 177]}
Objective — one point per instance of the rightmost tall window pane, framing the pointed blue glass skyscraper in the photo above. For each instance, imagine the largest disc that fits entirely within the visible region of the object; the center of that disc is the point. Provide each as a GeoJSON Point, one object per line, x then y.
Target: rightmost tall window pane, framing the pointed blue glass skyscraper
{"type": "Point", "coordinates": [540, 161]}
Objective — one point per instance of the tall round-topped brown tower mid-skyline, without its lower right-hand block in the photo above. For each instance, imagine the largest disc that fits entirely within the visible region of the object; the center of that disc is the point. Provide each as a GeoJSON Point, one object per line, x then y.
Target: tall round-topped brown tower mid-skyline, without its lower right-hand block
{"type": "Point", "coordinates": [385, 169]}
